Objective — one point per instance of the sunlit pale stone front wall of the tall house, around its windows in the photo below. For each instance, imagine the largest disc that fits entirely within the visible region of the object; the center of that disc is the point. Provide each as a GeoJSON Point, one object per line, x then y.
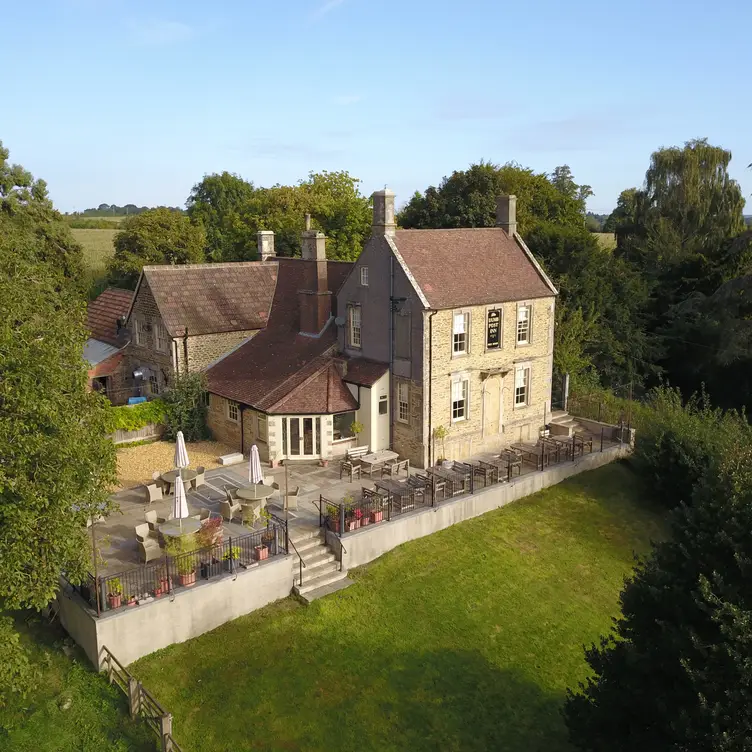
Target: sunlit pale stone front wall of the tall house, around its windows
{"type": "Point", "coordinates": [479, 432]}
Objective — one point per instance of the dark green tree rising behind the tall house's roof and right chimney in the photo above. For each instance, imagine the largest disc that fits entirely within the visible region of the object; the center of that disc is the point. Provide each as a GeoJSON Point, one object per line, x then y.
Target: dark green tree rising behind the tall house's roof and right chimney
{"type": "Point", "coordinates": [468, 199]}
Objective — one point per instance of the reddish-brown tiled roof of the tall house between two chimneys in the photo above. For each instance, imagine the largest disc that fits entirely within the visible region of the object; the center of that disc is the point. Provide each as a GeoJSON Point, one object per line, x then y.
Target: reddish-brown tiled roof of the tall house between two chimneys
{"type": "Point", "coordinates": [474, 266]}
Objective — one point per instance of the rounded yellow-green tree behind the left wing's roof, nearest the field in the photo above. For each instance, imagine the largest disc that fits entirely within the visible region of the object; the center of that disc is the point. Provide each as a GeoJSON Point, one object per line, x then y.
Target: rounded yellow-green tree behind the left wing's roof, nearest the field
{"type": "Point", "coordinates": [157, 236]}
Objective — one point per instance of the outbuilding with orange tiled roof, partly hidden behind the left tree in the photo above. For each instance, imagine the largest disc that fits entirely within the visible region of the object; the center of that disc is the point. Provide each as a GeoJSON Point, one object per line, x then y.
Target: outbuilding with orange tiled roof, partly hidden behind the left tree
{"type": "Point", "coordinates": [104, 350]}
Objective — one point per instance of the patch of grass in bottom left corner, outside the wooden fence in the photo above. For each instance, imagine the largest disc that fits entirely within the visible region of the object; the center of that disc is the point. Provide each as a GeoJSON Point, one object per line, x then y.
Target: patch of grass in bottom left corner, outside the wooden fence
{"type": "Point", "coordinates": [73, 708]}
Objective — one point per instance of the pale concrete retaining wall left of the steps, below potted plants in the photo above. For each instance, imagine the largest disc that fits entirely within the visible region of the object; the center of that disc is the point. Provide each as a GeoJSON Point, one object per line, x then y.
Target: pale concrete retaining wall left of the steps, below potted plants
{"type": "Point", "coordinates": [133, 632]}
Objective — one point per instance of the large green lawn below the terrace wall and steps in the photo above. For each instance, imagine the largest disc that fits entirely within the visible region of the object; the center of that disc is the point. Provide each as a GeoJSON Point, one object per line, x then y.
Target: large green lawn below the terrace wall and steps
{"type": "Point", "coordinates": [464, 640]}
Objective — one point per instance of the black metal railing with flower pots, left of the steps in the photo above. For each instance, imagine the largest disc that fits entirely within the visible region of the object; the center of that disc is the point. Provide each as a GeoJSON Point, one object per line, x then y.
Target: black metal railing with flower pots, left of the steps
{"type": "Point", "coordinates": [163, 577]}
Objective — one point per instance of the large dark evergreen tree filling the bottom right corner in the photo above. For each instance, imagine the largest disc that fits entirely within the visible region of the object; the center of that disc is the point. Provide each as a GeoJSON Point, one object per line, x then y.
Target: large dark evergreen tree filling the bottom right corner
{"type": "Point", "coordinates": [675, 673]}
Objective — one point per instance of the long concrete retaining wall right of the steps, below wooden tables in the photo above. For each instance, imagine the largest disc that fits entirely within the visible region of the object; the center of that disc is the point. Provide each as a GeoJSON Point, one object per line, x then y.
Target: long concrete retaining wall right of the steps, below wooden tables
{"type": "Point", "coordinates": [371, 542]}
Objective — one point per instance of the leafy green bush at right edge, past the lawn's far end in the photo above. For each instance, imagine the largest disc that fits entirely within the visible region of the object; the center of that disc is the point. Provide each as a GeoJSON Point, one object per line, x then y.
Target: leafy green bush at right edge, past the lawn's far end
{"type": "Point", "coordinates": [677, 443]}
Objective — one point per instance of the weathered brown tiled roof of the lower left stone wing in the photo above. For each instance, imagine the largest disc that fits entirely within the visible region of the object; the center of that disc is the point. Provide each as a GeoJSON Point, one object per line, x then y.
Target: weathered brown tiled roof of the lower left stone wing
{"type": "Point", "coordinates": [213, 298]}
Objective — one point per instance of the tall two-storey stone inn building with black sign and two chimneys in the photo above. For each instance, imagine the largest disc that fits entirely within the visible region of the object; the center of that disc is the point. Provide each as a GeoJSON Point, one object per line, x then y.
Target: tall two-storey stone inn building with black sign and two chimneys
{"type": "Point", "coordinates": [463, 320]}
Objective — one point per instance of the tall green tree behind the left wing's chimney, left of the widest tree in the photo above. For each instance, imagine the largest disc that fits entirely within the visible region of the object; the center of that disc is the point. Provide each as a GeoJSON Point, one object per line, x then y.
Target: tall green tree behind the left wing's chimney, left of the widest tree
{"type": "Point", "coordinates": [216, 203]}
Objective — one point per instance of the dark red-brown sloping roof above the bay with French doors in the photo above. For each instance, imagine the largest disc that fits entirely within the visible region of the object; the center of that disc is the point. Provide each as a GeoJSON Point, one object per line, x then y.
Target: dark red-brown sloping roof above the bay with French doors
{"type": "Point", "coordinates": [275, 365]}
